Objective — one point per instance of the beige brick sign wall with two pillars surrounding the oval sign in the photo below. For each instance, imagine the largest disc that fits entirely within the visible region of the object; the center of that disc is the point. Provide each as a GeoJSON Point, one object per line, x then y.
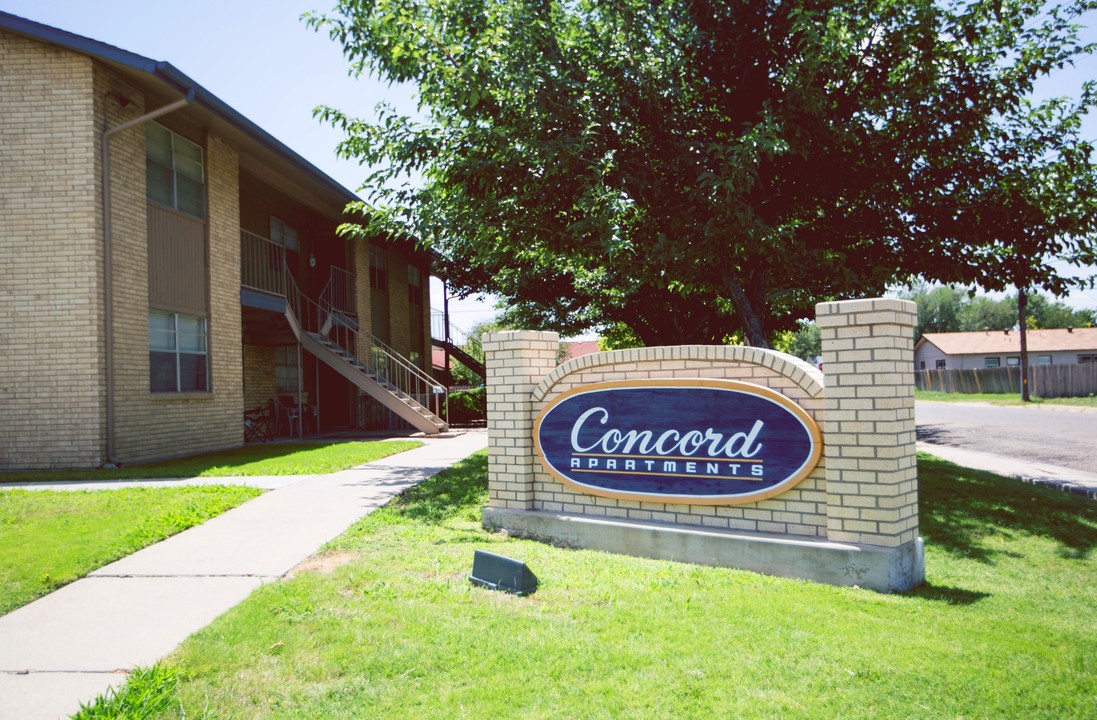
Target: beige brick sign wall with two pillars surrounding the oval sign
{"type": "Point", "coordinates": [864, 490]}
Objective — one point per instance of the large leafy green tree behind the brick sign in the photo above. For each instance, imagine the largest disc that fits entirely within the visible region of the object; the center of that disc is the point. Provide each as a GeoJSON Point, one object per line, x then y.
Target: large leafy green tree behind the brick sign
{"type": "Point", "coordinates": [695, 170]}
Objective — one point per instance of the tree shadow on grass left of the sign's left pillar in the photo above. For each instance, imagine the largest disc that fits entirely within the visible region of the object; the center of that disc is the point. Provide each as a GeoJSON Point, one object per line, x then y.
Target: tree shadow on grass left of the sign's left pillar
{"type": "Point", "coordinates": [448, 494]}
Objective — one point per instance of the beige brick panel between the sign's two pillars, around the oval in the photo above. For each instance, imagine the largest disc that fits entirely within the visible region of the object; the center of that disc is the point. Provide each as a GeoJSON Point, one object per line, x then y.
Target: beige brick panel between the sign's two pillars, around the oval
{"type": "Point", "coordinates": [801, 511]}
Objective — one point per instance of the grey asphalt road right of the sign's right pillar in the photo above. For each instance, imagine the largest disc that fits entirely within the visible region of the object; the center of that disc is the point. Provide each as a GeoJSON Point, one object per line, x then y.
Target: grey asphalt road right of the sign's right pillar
{"type": "Point", "coordinates": [1061, 437]}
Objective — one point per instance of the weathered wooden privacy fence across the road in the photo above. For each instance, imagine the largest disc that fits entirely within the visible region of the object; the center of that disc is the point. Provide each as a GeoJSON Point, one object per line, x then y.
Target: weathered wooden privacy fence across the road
{"type": "Point", "coordinates": [1045, 381]}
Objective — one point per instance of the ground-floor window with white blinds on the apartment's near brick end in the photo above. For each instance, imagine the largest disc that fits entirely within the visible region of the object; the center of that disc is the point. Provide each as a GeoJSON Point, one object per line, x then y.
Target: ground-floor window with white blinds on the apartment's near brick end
{"type": "Point", "coordinates": [177, 353]}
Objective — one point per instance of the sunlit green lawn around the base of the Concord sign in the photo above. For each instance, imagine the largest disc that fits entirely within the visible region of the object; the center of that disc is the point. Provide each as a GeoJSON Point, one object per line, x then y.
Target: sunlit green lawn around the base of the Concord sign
{"type": "Point", "coordinates": [391, 628]}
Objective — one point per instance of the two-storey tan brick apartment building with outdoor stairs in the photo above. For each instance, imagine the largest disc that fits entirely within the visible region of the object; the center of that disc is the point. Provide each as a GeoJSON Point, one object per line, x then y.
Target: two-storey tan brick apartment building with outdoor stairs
{"type": "Point", "coordinates": [168, 265]}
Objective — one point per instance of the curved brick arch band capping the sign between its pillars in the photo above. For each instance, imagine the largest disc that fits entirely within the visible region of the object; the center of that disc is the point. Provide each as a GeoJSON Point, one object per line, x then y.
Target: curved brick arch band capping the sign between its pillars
{"type": "Point", "coordinates": [804, 375]}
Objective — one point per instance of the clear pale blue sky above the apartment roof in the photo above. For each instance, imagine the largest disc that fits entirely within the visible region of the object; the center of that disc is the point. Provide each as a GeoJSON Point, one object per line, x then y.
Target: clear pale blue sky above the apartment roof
{"type": "Point", "coordinates": [261, 59]}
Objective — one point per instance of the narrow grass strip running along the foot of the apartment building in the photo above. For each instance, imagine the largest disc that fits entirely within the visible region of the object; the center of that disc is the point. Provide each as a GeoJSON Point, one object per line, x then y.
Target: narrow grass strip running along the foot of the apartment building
{"type": "Point", "coordinates": [267, 459]}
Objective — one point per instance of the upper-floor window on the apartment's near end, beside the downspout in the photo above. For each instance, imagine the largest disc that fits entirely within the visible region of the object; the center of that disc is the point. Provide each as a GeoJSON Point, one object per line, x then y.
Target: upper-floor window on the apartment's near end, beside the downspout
{"type": "Point", "coordinates": [174, 173]}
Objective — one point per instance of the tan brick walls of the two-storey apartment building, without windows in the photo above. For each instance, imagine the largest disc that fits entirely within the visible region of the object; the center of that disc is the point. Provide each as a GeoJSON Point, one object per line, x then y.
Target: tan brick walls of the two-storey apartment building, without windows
{"type": "Point", "coordinates": [58, 105]}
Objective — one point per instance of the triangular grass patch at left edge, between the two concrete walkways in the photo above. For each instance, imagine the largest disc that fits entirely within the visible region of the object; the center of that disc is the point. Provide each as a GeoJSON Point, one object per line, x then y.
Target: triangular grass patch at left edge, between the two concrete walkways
{"type": "Point", "coordinates": [51, 538]}
